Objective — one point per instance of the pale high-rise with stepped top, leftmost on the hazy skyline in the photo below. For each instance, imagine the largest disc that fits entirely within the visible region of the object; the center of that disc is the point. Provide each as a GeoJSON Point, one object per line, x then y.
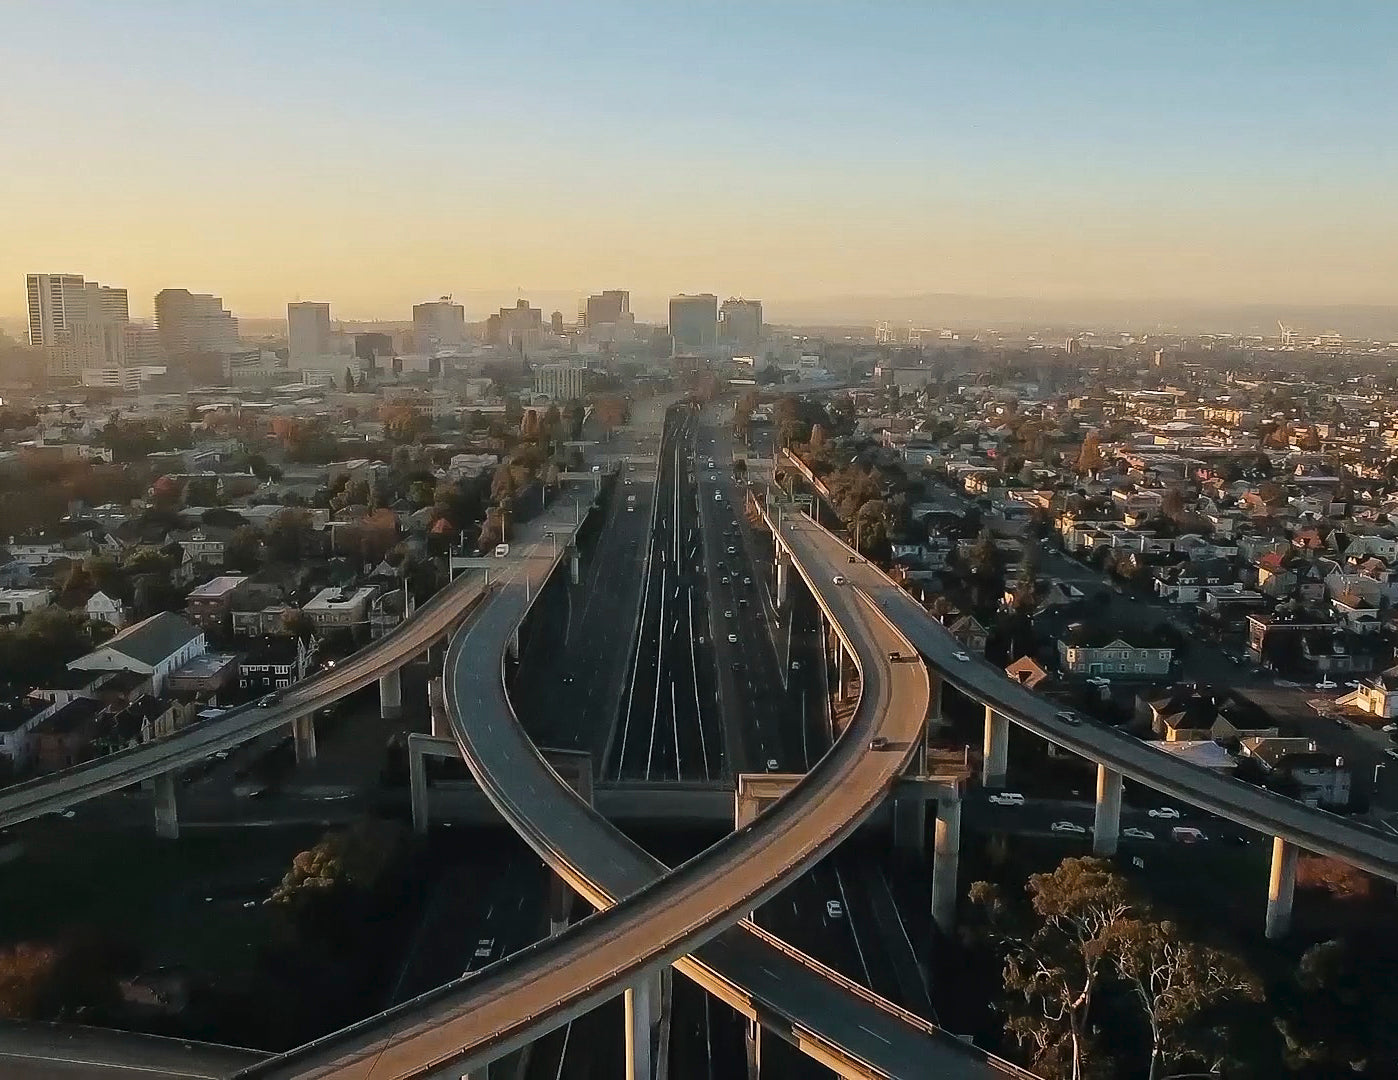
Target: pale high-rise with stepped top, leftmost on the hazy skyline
{"type": "Point", "coordinates": [78, 323]}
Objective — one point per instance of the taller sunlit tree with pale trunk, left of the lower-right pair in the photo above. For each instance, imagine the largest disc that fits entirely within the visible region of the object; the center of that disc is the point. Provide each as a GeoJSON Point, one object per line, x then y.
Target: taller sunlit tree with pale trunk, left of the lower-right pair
{"type": "Point", "coordinates": [1056, 955]}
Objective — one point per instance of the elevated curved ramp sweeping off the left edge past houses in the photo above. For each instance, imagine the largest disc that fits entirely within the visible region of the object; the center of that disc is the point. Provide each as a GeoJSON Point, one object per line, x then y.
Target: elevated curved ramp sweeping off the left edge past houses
{"type": "Point", "coordinates": [103, 776]}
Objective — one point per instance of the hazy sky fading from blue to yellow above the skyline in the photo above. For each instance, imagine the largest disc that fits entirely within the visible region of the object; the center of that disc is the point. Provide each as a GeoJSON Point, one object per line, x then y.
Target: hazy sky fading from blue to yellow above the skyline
{"type": "Point", "coordinates": [380, 154]}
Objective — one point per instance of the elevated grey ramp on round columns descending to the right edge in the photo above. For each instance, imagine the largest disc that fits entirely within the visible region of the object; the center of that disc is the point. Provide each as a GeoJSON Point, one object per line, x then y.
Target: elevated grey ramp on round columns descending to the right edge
{"type": "Point", "coordinates": [1274, 815]}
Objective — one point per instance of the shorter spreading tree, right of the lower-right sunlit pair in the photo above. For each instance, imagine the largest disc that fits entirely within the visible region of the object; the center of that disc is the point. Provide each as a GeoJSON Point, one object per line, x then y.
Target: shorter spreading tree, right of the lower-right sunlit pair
{"type": "Point", "coordinates": [1175, 982]}
